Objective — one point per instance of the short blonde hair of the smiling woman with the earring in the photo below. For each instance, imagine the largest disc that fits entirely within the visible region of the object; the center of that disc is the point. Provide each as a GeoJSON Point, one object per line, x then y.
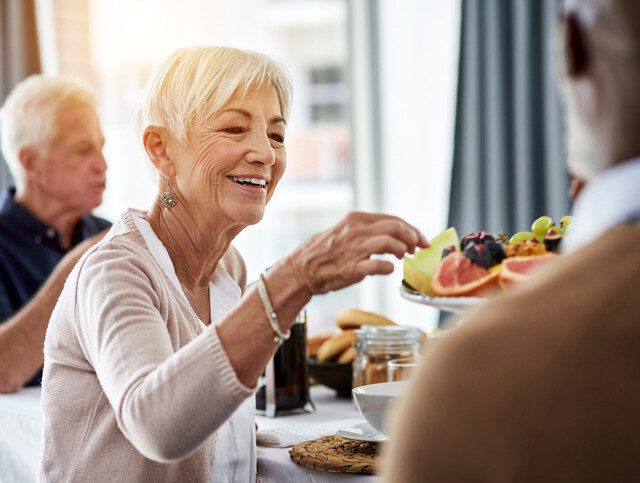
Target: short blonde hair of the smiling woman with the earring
{"type": "Point", "coordinates": [193, 84]}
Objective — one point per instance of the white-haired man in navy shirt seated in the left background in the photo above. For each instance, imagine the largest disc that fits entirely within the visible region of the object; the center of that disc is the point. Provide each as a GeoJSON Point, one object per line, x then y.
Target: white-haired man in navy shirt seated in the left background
{"type": "Point", "coordinates": [52, 142]}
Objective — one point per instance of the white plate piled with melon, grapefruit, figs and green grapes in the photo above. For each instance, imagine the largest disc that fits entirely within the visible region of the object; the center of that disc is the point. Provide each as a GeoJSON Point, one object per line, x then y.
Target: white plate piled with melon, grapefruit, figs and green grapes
{"type": "Point", "coordinates": [454, 274]}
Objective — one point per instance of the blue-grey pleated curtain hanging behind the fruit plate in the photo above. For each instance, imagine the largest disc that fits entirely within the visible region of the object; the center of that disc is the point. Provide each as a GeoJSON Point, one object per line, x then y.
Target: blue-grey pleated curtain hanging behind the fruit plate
{"type": "Point", "coordinates": [509, 152]}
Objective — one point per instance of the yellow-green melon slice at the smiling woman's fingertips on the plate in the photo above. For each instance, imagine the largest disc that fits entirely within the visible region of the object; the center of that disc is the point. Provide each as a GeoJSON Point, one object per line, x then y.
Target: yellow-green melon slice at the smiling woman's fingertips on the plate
{"type": "Point", "coordinates": [419, 269]}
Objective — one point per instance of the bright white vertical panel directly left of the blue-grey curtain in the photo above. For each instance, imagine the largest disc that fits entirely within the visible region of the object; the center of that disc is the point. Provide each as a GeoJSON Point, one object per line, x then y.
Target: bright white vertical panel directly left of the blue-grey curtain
{"type": "Point", "coordinates": [419, 42]}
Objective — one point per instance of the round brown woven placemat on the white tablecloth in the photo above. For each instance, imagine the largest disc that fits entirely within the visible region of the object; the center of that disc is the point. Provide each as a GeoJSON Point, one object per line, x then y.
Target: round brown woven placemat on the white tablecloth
{"type": "Point", "coordinates": [338, 455]}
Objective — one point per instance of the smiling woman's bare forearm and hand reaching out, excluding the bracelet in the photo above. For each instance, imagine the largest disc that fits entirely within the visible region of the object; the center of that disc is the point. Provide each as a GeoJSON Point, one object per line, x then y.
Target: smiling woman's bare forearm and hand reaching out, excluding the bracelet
{"type": "Point", "coordinates": [331, 260]}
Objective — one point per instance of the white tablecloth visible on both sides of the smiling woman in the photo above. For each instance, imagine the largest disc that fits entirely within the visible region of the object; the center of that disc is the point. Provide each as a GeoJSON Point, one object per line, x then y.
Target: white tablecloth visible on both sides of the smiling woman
{"type": "Point", "coordinates": [21, 428]}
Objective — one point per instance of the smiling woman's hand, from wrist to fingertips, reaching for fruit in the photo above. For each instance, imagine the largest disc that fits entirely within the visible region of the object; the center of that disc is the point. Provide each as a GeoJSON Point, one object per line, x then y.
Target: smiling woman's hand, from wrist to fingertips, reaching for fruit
{"type": "Point", "coordinates": [341, 256]}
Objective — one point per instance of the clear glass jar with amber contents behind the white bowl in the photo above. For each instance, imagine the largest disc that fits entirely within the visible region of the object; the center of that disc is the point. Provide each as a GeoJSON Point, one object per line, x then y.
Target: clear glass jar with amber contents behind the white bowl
{"type": "Point", "coordinates": [376, 346]}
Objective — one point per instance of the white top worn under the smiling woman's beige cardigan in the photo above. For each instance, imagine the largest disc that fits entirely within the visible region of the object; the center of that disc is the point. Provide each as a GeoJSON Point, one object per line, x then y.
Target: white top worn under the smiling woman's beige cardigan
{"type": "Point", "coordinates": [234, 459]}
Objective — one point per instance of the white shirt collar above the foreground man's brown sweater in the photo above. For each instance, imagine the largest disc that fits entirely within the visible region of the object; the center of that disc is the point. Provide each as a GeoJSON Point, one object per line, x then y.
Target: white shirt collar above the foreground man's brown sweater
{"type": "Point", "coordinates": [610, 199]}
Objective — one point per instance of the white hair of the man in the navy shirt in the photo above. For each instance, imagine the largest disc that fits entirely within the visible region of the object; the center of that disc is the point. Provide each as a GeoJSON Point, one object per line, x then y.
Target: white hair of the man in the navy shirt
{"type": "Point", "coordinates": [30, 112]}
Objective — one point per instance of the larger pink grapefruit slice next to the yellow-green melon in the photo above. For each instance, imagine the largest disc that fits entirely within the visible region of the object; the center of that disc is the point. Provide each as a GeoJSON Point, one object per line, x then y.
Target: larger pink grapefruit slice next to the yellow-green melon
{"type": "Point", "coordinates": [457, 276]}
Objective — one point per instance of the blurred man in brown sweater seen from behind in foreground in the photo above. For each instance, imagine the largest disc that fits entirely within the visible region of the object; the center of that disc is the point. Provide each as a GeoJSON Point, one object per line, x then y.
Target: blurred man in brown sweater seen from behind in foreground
{"type": "Point", "coordinates": [542, 384]}
